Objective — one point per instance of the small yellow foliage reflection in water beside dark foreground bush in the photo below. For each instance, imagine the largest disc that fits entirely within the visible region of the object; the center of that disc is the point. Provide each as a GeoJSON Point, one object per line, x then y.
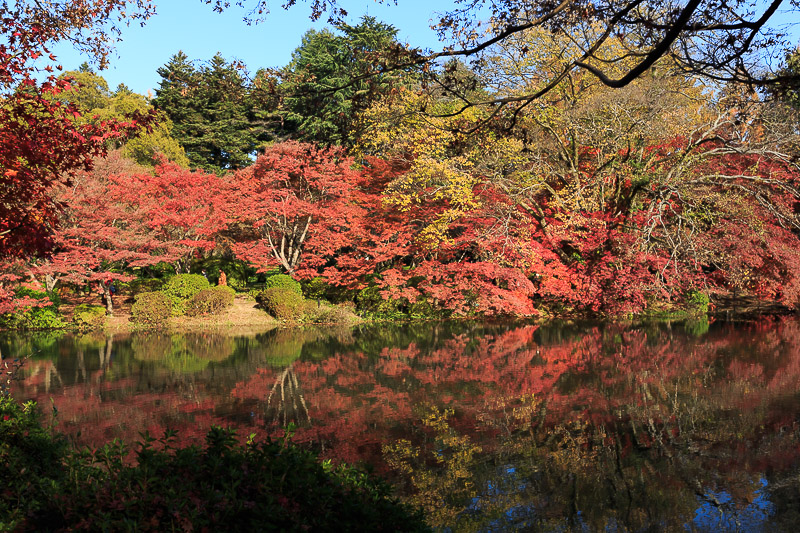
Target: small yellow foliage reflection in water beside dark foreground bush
{"type": "Point", "coordinates": [441, 475]}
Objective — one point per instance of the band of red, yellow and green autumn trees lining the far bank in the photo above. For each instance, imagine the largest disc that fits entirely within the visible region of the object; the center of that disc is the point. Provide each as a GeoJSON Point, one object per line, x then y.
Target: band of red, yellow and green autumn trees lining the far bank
{"type": "Point", "coordinates": [415, 199]}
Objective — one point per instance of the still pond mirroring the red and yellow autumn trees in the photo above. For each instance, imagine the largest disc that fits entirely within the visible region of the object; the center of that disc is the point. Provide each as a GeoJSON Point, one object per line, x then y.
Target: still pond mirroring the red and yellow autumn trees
{"type": "Point", "coordinates": [488, 426]}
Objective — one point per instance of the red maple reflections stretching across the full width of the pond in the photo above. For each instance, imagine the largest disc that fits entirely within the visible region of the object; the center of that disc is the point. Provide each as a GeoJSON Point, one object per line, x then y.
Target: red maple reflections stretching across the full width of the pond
{"type": "Point", "coordinates": [609, 378]}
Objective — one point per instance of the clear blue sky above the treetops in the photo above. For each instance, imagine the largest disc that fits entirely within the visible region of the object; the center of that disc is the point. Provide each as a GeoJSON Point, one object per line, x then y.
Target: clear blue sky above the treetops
{"type": "Point", "coordinates": [193, 27]}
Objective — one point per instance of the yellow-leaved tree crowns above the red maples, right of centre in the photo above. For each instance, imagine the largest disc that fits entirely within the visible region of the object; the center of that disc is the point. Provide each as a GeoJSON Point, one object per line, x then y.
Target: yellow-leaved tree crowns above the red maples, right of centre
{"type": "Point", "coordinates": [532, 148]}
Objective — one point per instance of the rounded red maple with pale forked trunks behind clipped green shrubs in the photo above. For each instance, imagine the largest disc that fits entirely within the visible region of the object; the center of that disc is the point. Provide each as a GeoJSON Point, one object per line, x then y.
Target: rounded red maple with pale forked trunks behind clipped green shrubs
{"type": "Point", "coordinates": [296, 197]}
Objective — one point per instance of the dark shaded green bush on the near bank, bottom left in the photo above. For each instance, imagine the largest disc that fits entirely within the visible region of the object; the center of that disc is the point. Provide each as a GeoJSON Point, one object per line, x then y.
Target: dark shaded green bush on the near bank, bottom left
{"type": "Point", "coordinates": [220, 486]}
